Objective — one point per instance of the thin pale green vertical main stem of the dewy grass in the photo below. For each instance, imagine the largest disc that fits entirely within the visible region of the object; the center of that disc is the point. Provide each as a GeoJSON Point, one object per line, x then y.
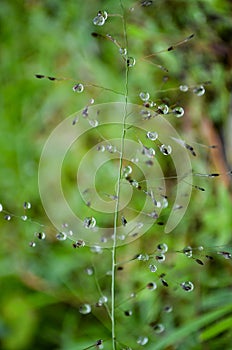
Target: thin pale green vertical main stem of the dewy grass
{"type": "Point", "coordinates": [114, 247]}
